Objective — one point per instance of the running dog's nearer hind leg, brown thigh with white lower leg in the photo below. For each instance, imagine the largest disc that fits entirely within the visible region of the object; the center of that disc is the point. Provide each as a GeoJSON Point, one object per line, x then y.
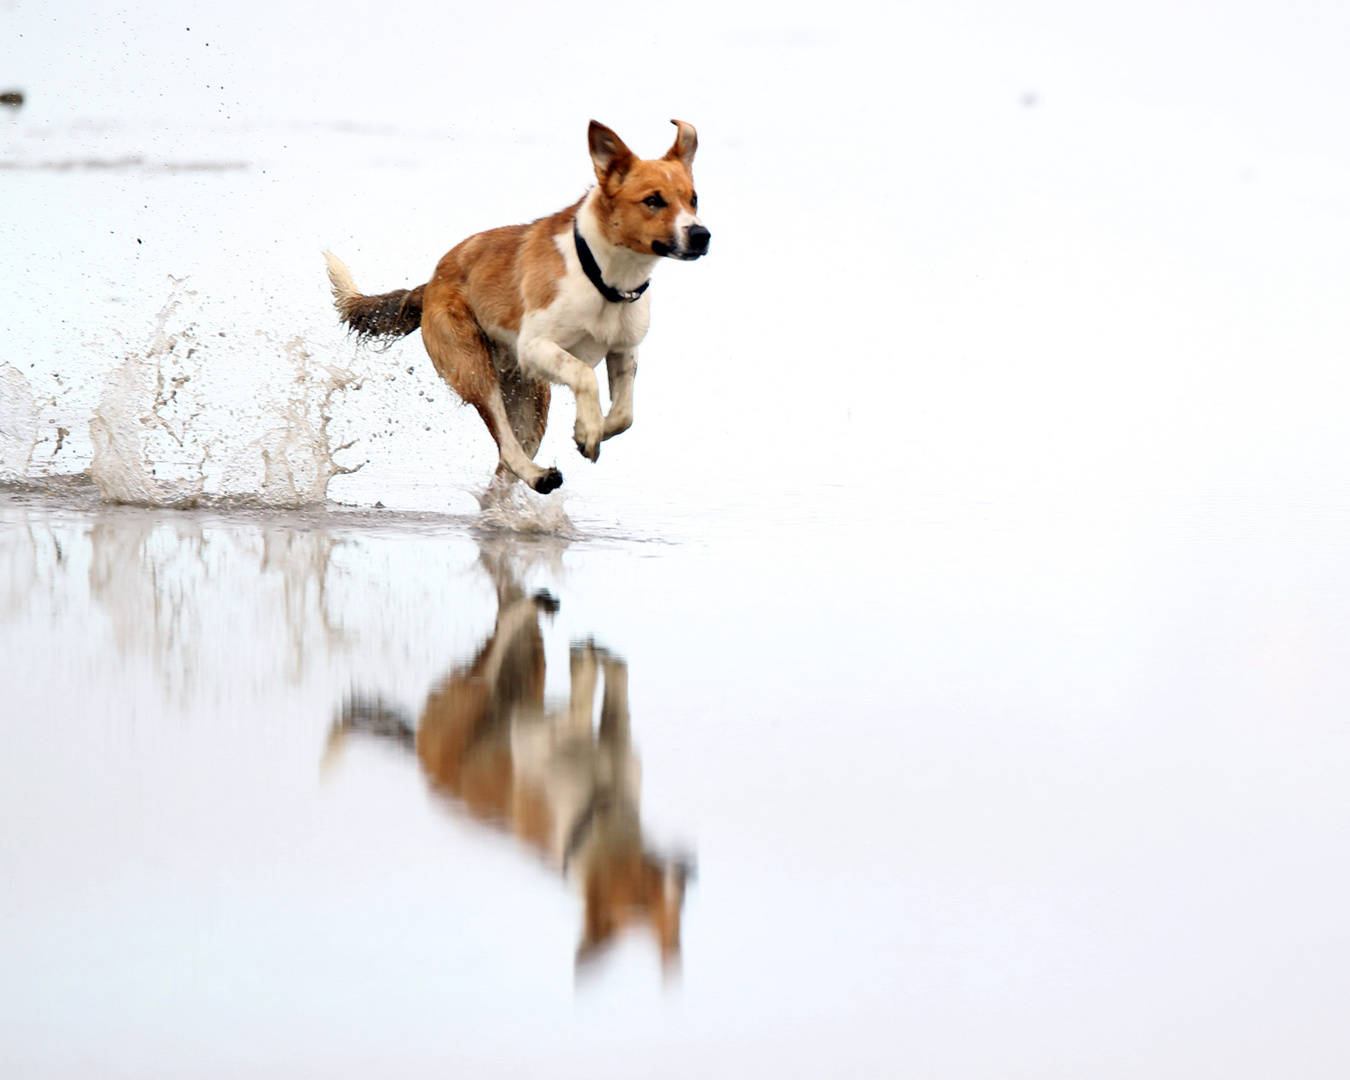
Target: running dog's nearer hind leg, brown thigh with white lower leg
{"type": "Point", "coordinates": [464, 358]}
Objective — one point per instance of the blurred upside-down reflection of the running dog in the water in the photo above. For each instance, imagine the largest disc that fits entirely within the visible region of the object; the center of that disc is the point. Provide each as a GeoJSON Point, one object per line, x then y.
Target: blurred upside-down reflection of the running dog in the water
{"type": "Point", "coordinates": [565, 786]}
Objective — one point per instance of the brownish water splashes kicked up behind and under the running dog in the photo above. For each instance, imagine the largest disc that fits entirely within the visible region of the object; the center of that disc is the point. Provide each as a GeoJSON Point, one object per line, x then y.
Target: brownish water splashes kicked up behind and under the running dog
{"type": "Point", "coordinates": [206, 410]}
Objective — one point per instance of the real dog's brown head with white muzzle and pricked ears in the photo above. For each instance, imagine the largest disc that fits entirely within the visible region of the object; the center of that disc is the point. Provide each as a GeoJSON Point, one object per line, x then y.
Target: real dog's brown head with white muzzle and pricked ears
{"type": "Point", "coordinates": [649, 206]}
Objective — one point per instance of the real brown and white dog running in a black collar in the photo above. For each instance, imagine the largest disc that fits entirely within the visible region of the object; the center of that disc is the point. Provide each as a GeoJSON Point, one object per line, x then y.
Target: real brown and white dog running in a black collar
{"type": "Point", "coordinates": [514, 310]}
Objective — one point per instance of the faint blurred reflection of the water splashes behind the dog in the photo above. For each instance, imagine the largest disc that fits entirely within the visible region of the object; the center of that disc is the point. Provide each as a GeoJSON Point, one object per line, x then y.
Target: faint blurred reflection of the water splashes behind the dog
{"type": "Point", "coordinates": [214, 607]}
